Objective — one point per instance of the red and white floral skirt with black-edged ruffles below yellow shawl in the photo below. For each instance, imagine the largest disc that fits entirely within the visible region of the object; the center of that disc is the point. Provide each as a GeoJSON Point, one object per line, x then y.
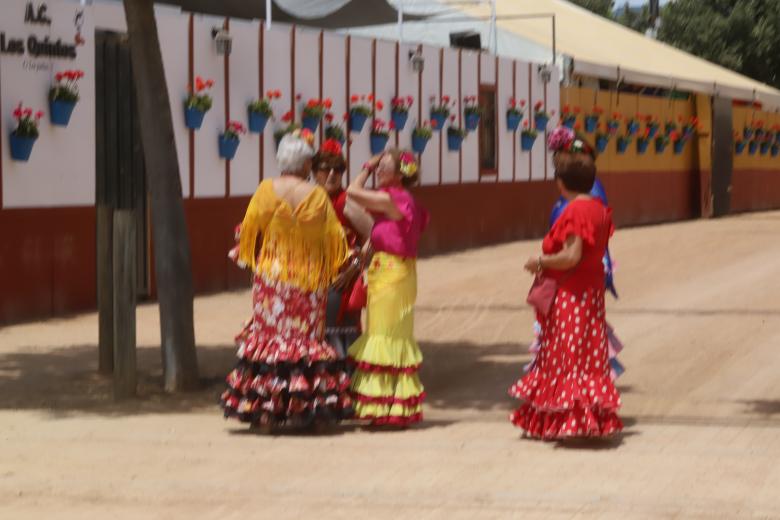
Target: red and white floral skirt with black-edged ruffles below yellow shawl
{"type": "Point", "coordinates": [286, 372]}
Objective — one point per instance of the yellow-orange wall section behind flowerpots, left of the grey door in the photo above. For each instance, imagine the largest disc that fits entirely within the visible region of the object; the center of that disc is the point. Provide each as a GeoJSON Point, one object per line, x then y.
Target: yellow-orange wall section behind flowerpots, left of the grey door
{"type": "Point", "coordinates": [628, 105]}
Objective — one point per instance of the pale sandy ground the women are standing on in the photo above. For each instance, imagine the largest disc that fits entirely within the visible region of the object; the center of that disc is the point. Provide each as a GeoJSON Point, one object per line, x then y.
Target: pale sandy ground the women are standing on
{"type": "Point", "coordinates": [699, 314]}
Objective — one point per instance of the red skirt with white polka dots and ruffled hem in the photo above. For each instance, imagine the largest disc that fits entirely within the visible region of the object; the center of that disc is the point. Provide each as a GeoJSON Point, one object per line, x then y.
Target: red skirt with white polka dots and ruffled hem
{"type": "Point", "coordinates": [569, 392]}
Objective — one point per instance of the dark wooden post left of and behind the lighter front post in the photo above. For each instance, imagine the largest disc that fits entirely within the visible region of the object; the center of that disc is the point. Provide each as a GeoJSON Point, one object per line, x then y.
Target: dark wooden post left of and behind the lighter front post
{"type": "Point", "coordinates": [105, 292]}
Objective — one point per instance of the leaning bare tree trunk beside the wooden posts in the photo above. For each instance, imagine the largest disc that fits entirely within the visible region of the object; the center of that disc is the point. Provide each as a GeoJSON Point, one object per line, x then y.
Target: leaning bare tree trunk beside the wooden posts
{"type": "Point", "coordinates": [171, 243]}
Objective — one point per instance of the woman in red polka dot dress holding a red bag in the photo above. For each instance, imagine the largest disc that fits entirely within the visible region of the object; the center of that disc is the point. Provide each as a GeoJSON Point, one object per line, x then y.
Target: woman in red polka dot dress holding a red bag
{"type": "Point", "coordinates": [569, 391]}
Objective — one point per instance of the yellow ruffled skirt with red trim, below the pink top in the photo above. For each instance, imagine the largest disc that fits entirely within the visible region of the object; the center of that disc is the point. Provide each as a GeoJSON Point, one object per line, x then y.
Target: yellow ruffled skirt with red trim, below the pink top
{"type": "Point", "coordinates": [385, 385]}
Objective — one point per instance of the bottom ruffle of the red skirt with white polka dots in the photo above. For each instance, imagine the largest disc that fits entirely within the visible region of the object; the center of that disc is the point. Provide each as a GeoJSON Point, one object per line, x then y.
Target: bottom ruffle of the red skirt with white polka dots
{"type": "Point", "coordinates": [576, 422]}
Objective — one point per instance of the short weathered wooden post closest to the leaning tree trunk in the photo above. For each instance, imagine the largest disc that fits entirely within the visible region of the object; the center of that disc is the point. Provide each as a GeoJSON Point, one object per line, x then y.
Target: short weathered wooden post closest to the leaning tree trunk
{"type": "Point", "coordinates": [124, 303]}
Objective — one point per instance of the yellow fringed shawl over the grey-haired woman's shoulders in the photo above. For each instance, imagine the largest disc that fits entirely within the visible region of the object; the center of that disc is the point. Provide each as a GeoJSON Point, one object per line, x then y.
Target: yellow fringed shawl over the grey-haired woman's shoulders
{"type": "Point", "coordinates": [303, 246]}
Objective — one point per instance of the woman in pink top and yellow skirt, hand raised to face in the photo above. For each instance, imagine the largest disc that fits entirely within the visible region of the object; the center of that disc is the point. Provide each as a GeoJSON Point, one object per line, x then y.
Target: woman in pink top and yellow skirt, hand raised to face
{"type": "Point", "coordinates": [386, 357]}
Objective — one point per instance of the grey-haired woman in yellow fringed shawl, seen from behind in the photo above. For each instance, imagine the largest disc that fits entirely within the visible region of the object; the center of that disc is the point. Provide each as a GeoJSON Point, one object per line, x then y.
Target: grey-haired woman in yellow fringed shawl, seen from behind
{"type": "Point", "coordinates": [292, 240]}
